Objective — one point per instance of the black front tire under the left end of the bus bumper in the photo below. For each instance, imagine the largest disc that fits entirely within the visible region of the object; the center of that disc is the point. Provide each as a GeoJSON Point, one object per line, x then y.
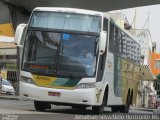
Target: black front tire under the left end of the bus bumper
{"type": "Point", "coordinates": [41, 106]}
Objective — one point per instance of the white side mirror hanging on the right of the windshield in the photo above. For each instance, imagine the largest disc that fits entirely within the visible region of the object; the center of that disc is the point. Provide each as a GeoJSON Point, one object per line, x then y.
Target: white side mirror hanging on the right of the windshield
{"type": "Point", "coordinates": [103, 38]}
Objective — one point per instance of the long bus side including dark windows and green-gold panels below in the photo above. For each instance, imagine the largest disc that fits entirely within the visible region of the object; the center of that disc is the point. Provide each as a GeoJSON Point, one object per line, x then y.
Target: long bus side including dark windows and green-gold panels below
{"type": "Point", "coordinates": [125, 53]}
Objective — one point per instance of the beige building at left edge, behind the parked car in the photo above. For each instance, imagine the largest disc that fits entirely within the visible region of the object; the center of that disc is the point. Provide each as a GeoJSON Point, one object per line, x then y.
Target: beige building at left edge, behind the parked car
{"type": "Point", "coordinates": [8, 59]}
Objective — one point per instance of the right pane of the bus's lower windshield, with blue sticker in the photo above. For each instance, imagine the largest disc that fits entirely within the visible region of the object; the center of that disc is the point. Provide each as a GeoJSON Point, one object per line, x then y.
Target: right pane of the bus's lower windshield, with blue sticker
{"type": "Point", "coordinates": [77, 54]}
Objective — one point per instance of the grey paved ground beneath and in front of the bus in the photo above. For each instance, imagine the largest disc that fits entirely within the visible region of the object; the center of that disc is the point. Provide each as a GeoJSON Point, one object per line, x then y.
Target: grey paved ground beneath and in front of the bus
{"type": "Point", "coordinates": [24, 110]}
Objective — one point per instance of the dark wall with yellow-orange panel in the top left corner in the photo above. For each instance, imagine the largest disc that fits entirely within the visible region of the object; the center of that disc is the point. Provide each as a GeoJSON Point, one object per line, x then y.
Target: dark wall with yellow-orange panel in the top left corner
{"type": "Point", "coordinates": [10, 17]}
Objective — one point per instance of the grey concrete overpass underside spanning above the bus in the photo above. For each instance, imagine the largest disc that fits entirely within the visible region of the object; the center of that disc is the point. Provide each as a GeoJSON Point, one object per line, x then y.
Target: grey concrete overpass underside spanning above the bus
{"type": "Point", "coordinates": [98, 5]}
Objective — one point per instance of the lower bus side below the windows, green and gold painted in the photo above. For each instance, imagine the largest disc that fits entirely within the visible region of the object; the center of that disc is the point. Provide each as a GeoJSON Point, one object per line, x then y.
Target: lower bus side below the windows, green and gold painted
{"type": "Point", "coordinates": [125, 77]}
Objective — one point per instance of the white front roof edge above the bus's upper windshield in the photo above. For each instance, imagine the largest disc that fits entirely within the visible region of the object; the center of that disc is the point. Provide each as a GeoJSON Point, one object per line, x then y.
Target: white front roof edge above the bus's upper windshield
{"type": "Point", "coordinates": [71, 10]}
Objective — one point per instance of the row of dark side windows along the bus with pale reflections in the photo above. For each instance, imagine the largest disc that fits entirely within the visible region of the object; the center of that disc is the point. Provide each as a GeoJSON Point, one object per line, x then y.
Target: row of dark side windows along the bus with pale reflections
{"type": "Point", "coordinates": [123, 45]}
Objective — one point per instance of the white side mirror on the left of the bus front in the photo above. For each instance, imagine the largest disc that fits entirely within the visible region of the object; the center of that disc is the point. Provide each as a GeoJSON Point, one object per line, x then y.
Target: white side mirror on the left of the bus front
{"type": "Point", "coordinates": [19, 33]}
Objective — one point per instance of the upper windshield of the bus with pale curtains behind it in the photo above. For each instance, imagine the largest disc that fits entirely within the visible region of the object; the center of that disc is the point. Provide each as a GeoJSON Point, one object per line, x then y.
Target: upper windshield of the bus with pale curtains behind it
{"type": "Point", "coordinates": [66, 21]}
